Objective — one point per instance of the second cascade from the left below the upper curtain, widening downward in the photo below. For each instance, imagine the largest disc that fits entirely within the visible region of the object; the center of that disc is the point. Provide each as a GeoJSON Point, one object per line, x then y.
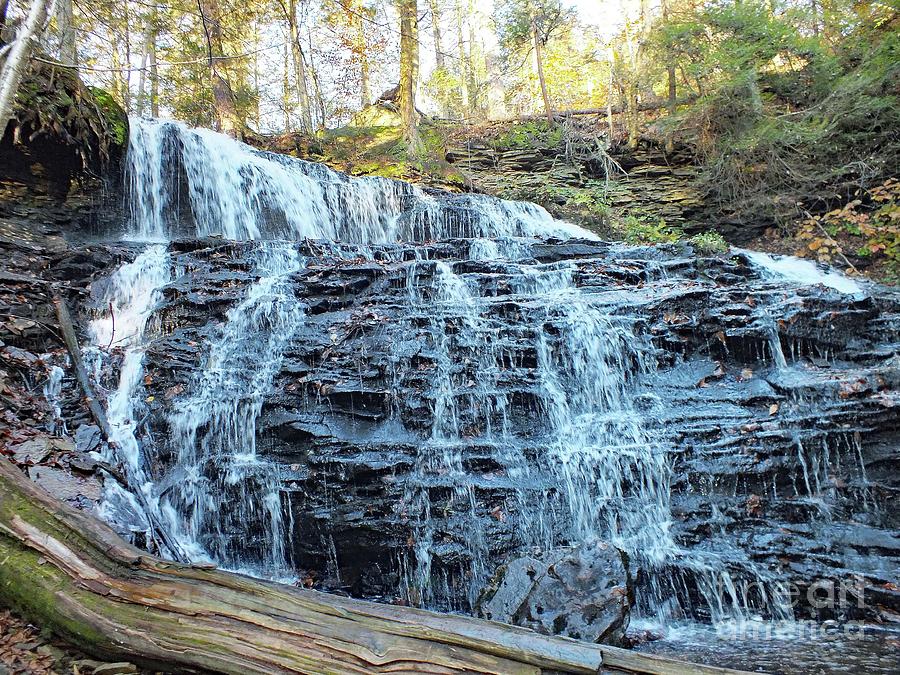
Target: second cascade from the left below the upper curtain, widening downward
{"type": "Point", "coordinates": [220, 498]}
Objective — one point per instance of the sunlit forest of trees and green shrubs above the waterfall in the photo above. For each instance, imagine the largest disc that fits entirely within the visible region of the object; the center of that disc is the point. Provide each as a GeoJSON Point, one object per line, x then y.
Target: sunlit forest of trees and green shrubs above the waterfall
{"type": "Point", "coordinates": [790, 106]}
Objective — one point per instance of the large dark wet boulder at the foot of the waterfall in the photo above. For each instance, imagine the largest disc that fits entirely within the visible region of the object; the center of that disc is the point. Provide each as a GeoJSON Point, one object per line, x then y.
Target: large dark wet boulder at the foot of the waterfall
{"type": "Point", "coordinates": [583, 593]}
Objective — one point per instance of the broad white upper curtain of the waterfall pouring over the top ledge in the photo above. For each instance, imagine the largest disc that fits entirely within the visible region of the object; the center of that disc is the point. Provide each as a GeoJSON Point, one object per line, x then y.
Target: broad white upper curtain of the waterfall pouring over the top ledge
{"type": "Point", "coordinates": [198, 182]}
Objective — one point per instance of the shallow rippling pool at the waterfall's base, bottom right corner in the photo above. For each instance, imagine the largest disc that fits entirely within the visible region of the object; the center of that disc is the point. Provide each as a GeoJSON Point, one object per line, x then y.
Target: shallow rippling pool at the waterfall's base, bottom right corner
{"type": "Point", "coordinates": [789, 648]}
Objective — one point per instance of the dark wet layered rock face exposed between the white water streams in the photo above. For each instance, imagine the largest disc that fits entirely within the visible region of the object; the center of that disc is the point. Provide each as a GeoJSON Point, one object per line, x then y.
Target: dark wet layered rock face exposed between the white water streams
{"type": "Point", "coordinates": [776, 466]}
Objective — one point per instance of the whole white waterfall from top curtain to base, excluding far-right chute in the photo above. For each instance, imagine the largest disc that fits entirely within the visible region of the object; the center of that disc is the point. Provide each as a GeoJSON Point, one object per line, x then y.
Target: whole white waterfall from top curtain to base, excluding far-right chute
{"type": "Point", "coordinates": [592, 462]}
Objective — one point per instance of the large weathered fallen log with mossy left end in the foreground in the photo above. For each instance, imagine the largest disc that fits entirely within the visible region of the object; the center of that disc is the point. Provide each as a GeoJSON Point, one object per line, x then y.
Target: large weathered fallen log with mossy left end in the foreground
{"type": "Point", "coordinates": [69, 573]}
